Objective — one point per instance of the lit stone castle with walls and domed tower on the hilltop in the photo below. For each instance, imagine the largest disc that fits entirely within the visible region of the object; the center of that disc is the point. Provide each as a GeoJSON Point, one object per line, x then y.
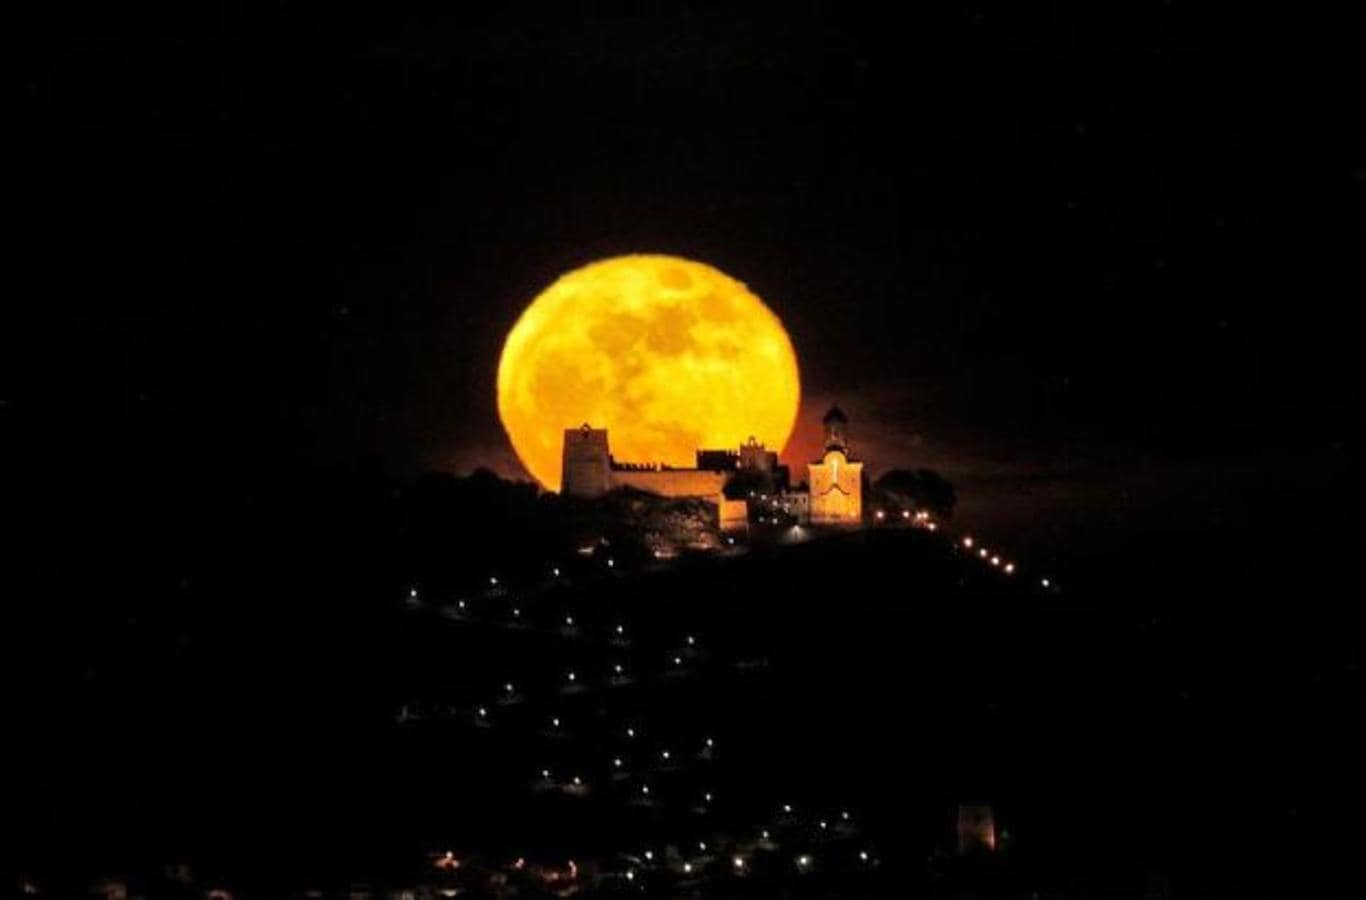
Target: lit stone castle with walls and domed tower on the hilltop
{"type": "Point", "coordinates": [835, 494]}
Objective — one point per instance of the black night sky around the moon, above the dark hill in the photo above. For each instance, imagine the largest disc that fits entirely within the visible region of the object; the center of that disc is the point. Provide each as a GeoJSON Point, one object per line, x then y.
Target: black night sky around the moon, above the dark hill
{"type": "Point", "coordinates": [1066, 253]}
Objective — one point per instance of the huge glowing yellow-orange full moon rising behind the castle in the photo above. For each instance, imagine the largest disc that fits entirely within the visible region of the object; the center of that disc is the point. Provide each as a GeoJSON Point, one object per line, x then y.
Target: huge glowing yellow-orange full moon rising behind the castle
{"type": "Point", "coordinates": [669, 354]}
